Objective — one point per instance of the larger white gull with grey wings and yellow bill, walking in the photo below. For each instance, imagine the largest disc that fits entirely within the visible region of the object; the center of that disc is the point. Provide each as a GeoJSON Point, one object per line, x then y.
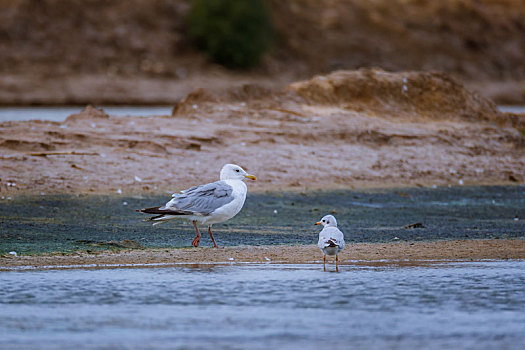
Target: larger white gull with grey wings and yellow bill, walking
{"type": "Point", "coordinates": [208, 204]}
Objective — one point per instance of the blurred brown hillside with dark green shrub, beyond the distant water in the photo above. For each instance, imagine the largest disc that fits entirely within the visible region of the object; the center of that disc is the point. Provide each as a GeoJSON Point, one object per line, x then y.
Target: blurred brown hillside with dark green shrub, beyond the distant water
{"type": "Point", "coordinates": [55, 52]}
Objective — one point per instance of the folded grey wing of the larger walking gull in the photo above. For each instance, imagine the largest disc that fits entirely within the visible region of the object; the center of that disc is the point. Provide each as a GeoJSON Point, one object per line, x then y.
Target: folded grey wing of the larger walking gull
{"type": "Point", "coordinates": [203, 199]}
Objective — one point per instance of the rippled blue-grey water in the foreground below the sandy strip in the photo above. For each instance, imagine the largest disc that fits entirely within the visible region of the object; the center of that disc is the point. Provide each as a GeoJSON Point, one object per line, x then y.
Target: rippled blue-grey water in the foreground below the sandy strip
{"type": "Point", "coordinates": [458, 305]}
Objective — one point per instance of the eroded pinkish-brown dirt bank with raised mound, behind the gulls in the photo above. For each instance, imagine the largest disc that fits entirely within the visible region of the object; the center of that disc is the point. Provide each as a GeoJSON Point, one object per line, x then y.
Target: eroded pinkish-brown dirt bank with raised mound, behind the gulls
{"type": "Point", "coordinates": [346, 129]}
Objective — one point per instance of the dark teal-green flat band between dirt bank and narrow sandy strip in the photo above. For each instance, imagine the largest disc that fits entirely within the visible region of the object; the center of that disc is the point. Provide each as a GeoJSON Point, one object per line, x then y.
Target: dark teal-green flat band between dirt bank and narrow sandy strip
{"type": "Point", "coordinates": [67, 223]}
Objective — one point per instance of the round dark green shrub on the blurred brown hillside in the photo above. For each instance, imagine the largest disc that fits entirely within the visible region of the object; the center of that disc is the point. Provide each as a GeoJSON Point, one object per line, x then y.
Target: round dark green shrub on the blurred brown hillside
{"type": "Point", "coordinates": [234, 33]}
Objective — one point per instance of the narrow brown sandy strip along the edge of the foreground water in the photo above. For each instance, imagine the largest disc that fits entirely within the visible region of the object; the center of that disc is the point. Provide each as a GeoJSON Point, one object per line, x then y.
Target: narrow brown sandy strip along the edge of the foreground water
{"type": "Point", "coordinates": [402, 253]}
